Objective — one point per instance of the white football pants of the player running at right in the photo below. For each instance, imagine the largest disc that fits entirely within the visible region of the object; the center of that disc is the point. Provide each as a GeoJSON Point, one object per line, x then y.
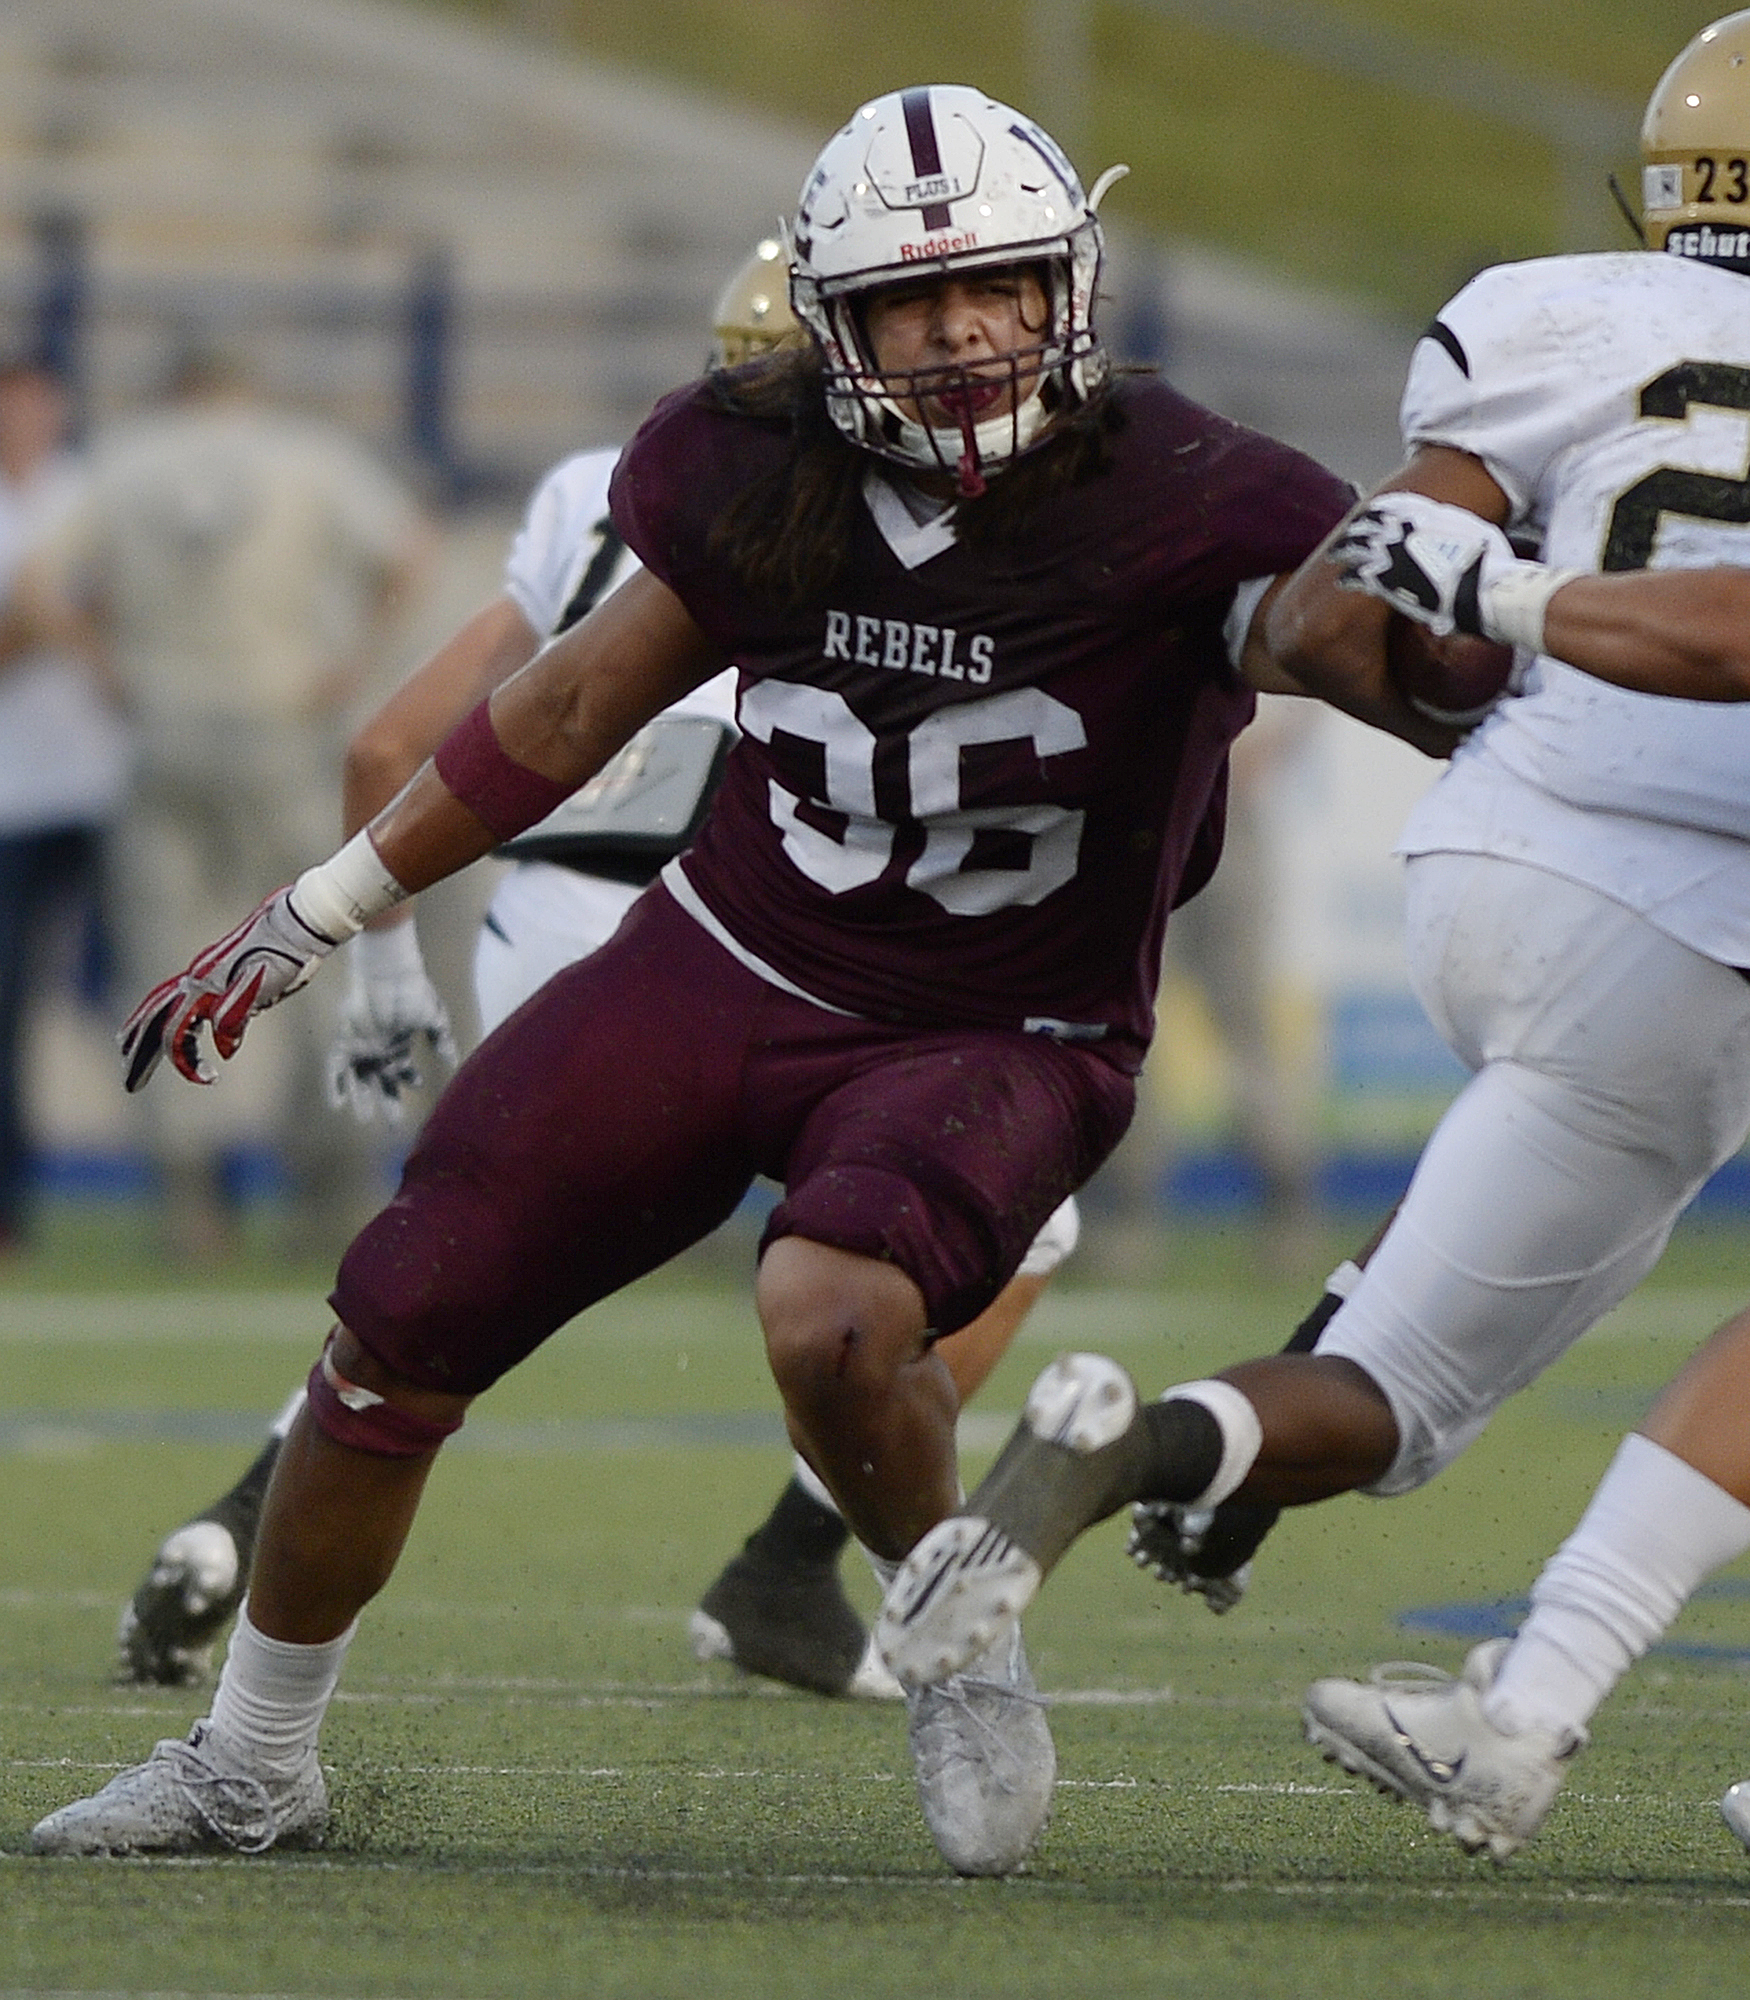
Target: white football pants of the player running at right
{"type": "Point", "coordinates": [1611, 1081]}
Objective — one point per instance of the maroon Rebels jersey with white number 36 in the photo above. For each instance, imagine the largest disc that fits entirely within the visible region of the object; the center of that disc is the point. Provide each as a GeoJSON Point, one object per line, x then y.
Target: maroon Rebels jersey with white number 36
{"type": "Point", "coordinates": [967, 793]}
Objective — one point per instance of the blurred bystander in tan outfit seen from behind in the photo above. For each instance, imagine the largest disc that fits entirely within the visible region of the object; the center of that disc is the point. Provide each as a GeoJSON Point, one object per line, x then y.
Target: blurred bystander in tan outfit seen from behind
{"type": "Point", "coordinates": [237, 569]}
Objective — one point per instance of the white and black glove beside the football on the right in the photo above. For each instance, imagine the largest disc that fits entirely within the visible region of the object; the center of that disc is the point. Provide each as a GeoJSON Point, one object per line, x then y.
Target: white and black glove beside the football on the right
{"type": "Point", "coordinates": [1447, 569]}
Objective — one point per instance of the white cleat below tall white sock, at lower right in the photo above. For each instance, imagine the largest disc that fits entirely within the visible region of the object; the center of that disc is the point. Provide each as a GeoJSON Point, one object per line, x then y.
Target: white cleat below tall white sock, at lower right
{"type": "Point", "coordinates": [1421, 1735]}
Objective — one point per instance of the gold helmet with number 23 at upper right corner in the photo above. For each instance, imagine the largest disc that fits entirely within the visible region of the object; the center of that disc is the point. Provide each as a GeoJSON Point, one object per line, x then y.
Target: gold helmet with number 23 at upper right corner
{"type": "Point", "coordinates": [1695, 143]}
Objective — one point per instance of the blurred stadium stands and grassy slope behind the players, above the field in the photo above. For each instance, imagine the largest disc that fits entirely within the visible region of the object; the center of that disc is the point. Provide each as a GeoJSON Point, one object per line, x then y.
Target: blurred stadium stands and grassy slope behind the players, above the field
{"type": "Point", "coordinates": [483, 233]}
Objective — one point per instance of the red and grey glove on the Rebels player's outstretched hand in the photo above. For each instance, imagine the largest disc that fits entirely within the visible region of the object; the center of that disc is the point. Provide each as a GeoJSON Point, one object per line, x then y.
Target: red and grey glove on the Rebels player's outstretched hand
{"type": "Point", "coordinates": [271, 955]}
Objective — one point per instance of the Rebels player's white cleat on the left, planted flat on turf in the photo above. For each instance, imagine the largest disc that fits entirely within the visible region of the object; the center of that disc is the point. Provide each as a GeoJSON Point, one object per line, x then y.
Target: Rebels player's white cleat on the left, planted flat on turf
{"type": "Point", "coordinates": [183, 1803]}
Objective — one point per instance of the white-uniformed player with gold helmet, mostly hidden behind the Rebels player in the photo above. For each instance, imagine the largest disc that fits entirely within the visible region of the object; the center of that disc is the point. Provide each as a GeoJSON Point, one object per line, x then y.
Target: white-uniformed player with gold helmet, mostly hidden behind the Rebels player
{"type": "Point", "coordinates": [777, 1607]}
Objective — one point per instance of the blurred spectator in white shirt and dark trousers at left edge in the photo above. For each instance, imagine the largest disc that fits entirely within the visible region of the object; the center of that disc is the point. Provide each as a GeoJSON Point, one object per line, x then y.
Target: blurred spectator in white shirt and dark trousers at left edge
{"type": "Point", "coordinates": [63, 761]}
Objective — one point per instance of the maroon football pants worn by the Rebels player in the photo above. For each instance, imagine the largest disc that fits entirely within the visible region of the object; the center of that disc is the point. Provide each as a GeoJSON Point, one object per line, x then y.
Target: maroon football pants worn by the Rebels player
{"type": "Point", "coordinates": [623, 1113]}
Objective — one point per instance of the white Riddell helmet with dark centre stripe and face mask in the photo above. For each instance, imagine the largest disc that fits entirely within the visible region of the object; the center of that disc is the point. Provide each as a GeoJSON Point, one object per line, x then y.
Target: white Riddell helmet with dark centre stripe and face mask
{"type": "Point", "coordinates": [945, 179]}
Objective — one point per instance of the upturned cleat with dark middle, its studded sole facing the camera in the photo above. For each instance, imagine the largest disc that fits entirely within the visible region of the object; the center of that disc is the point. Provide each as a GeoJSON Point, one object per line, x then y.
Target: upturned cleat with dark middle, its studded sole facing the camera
{"type": "Point", "coordinates": [971, 1577]}
